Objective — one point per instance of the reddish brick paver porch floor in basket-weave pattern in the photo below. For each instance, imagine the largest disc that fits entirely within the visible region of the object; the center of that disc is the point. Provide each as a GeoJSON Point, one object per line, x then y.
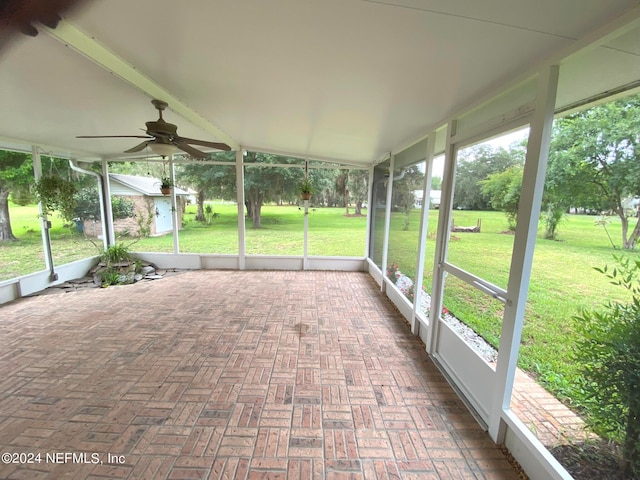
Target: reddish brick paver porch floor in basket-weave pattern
{"type": "Point", "coordinates": [226, 374]}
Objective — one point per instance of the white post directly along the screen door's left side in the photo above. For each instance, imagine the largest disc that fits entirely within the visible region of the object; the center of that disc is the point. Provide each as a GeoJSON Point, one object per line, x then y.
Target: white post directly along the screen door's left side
{"type": "Point", "coordinates": [442, 238]}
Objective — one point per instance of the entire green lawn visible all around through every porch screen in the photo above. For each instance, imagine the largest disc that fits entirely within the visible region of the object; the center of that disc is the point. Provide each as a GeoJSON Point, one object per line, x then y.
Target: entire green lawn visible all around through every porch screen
{"type": "Point", "coordinates": [563, 280]}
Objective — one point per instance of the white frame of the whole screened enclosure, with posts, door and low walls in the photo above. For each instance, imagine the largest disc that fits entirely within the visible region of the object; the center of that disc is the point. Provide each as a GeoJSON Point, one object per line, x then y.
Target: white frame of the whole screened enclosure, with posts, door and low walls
{"type": "Point", "coordinates": [531, 99]}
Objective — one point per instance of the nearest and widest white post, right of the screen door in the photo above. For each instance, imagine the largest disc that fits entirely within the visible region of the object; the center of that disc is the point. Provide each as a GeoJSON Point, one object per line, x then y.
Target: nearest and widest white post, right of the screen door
{"type": "Point", "coordinates": [523, 246]}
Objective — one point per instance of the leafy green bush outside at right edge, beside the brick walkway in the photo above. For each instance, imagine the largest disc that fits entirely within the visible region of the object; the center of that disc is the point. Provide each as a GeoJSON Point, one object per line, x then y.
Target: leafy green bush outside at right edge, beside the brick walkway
{"type": "Point", "coordinates": [609, 355]}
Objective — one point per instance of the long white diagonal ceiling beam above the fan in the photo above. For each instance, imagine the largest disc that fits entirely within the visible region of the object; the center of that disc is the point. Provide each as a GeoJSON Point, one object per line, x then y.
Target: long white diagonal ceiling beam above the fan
{"type": "Point", "coordinates": [87, 46]}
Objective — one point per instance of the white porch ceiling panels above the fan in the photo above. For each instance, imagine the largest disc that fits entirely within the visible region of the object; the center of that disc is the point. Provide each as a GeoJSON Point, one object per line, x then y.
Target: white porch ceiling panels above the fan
{"type": "Point", "coordinates": [348, 80]}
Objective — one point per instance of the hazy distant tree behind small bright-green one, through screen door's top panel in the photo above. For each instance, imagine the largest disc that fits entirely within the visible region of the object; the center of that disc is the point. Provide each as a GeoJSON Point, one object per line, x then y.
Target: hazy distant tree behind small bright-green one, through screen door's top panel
{"type": "Point", "coordinates": [477, 163]}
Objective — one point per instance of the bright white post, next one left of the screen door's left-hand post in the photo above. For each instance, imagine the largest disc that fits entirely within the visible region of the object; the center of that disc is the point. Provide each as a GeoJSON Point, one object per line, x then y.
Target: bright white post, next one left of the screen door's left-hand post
{"type": "Point", "coordinates": [424, 227]}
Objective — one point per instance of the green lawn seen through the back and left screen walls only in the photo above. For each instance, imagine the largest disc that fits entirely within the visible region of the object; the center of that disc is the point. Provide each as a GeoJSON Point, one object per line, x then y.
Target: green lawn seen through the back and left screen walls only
{"type": "Point", "coordinates": [330, 234]}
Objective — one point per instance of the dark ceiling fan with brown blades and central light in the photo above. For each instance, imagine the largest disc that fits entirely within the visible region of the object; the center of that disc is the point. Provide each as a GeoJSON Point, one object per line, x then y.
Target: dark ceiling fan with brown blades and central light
{"type": "Point", "coordinates": [163, 139]}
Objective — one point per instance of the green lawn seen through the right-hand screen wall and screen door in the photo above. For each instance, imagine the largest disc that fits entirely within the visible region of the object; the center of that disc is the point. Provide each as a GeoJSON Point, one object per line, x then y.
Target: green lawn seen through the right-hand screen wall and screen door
{"type": "Point", "coordinates": [563, 281]}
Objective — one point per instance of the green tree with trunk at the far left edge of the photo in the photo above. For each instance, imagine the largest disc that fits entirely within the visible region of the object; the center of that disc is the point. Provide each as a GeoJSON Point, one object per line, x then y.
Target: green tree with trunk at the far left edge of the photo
{"type": "Point", "coordinates": [16, 174]}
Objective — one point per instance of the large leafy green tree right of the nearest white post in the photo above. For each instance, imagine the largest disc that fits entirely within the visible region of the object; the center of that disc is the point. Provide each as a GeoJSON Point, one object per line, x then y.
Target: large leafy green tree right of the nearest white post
{"type": "Point", "coordinates": [594, 162]}
